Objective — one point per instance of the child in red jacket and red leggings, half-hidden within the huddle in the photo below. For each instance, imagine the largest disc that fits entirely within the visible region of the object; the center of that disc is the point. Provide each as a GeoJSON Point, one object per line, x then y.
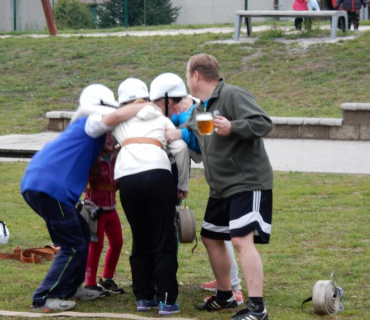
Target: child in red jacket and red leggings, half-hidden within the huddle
{"type": "Point", "coordinates": [101, 191]}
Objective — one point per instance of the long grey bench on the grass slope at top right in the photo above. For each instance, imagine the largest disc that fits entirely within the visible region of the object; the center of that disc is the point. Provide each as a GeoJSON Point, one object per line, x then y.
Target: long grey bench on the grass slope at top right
{"type": "Point", "coordinates": [333, 14]}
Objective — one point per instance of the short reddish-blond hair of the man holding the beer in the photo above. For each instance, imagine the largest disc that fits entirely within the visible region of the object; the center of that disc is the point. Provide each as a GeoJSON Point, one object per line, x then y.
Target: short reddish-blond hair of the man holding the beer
{"type": "Point", "coordinates": [206, 65]}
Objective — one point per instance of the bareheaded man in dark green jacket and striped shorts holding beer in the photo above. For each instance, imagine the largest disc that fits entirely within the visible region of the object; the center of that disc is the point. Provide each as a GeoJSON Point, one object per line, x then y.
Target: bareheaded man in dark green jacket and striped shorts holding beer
{"type": "Point", "coordinates": [239, 174]}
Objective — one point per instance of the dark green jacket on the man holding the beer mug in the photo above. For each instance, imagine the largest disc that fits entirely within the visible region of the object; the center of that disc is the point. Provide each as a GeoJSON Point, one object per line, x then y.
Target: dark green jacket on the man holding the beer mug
{"type": "Point", "coordinates": [237, 162]}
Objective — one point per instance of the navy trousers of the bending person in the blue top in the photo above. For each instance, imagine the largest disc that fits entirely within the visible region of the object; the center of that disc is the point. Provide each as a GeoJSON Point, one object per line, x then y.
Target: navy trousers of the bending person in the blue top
{"type": "Point", "coordinates": [69, 231]}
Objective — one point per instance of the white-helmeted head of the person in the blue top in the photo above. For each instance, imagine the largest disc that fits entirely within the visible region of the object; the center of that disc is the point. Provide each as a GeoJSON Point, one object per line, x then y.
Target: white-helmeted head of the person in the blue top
{"type": "Point", "coordinates": [95, 99]}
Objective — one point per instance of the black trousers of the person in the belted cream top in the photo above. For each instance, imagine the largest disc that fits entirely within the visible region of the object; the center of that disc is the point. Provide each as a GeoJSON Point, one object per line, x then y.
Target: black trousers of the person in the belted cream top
{"type": "Point", "coordinates": [148, 201]}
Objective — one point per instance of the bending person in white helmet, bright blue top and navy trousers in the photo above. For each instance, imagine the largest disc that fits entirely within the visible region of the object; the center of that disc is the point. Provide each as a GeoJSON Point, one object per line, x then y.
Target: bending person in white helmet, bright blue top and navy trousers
{"type": "Point", "coordinates": [52, 184]}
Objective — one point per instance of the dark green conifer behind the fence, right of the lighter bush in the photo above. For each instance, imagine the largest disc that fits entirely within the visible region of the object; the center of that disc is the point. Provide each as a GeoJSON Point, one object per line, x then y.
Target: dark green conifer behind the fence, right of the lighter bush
{"type": "Point", "coordinates": [140, 12]}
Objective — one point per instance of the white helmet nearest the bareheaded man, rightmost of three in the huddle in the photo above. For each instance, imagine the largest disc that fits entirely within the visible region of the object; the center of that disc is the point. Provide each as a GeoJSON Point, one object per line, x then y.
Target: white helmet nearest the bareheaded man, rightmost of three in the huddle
{"type": "Point", "coordinates": [169, 84]}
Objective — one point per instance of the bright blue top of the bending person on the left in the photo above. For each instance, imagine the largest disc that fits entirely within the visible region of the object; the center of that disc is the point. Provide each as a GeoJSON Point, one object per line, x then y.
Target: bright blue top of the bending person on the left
{"type": "Point", "coordinates": [61, 169]}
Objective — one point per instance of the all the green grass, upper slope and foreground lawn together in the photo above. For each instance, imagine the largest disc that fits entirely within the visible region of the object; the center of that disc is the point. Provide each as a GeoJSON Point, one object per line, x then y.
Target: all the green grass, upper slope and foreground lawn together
{"type": "Point", "coordinates": [320, 222]}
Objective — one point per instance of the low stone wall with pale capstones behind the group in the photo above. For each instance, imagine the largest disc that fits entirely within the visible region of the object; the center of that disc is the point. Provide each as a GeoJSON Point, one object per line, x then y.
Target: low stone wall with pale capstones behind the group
{"type": "Point", "coordinates": [355, 125]}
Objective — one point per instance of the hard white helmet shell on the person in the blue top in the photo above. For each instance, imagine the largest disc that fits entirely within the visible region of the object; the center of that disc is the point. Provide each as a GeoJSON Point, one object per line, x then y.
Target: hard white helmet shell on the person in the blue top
{"type": "Point", "coordinates": [97, 95]}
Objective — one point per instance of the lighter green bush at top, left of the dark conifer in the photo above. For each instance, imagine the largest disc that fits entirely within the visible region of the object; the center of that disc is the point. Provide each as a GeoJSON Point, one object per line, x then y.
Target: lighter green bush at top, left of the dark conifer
{"type": "Point", "coordinates": [71, 14]}
